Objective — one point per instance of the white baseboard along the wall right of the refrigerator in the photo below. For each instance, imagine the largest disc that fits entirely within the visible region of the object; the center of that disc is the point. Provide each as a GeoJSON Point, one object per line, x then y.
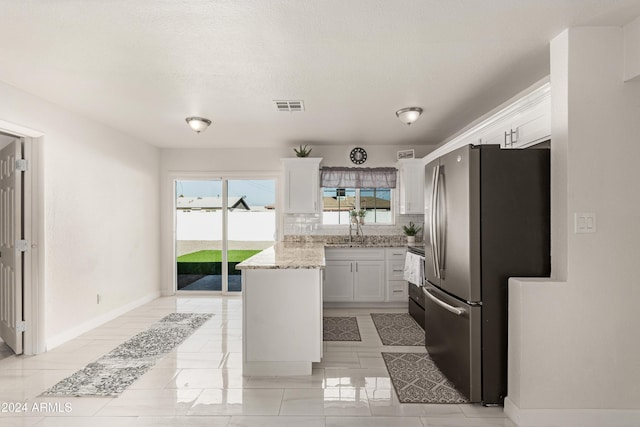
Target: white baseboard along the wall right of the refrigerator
{"type": "Point", "coordinates": [571, 417]}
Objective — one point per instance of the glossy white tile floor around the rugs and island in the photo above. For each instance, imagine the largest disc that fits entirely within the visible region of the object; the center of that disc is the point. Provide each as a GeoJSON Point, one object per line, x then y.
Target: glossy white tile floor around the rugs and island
{"type": "Point", "coordinates": [201, 383]}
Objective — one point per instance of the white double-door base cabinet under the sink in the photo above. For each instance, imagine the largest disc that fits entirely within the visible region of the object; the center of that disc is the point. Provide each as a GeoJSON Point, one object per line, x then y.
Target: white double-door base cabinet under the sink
{"type": "Point", "coordinates": [354, 275]}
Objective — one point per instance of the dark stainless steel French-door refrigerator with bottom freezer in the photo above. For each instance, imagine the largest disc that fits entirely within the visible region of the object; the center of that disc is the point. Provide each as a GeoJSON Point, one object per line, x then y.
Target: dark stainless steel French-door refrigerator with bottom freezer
{"type": "Point", "coordinates": [487, 217]}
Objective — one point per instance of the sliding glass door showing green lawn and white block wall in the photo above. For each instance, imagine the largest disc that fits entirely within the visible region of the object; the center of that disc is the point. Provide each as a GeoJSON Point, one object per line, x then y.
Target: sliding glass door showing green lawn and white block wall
{"type": "Point", "coordinates": [220, 223]}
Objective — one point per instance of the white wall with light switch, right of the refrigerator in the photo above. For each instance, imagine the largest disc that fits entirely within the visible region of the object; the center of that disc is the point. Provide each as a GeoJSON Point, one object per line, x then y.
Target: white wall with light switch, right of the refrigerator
{"type": "Point", "coordinates": [572, 341]}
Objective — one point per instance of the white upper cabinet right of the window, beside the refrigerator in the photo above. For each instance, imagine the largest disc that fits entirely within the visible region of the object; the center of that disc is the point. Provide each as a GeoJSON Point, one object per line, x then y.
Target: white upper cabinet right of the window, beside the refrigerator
{"type": "Point", "coordinates": [411, 186]}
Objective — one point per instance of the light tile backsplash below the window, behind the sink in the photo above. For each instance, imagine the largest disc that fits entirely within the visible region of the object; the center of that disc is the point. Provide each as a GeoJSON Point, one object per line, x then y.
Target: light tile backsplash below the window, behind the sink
{"type": "Point", "coordinates": [311, 225]}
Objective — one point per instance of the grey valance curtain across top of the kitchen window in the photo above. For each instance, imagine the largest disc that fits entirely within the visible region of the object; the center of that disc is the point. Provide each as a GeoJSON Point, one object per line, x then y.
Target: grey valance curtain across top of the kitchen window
{"type": "Point", "coordinates": [343, 177]}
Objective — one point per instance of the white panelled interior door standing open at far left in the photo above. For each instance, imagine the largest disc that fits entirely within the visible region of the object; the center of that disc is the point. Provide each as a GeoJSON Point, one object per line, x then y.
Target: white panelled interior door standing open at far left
{"type": "Point", "coordinates": [10, 256]}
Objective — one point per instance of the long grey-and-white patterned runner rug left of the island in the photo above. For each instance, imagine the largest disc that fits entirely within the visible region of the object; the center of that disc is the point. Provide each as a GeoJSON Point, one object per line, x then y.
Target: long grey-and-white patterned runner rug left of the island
{"type": "Point", "coordinates": [114, 372]}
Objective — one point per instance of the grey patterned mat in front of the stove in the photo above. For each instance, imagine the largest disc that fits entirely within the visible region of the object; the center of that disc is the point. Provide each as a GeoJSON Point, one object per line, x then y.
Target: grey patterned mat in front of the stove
{"type": "Point", "coordinates": [398, 329]}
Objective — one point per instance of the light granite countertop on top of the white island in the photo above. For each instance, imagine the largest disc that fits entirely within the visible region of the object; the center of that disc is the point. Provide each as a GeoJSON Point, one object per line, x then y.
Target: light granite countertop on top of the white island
{"type": "Point", "coordinates": [285, 255]}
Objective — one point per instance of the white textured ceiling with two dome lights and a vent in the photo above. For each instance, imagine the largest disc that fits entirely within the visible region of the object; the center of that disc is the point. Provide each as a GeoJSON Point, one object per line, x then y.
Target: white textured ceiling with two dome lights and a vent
{"type": "Point", "coordinates": [143, 66]}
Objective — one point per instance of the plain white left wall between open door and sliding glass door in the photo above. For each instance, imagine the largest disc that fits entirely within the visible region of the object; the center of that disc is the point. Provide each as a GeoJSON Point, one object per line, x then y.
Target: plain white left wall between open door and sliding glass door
{"type": "Point", "coordinates": [101, 218]}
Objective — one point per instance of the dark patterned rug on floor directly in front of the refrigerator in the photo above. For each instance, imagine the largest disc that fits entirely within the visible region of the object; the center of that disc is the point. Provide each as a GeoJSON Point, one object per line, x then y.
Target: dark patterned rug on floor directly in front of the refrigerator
{"type": "Point", "coordinates": [417, 379]}
